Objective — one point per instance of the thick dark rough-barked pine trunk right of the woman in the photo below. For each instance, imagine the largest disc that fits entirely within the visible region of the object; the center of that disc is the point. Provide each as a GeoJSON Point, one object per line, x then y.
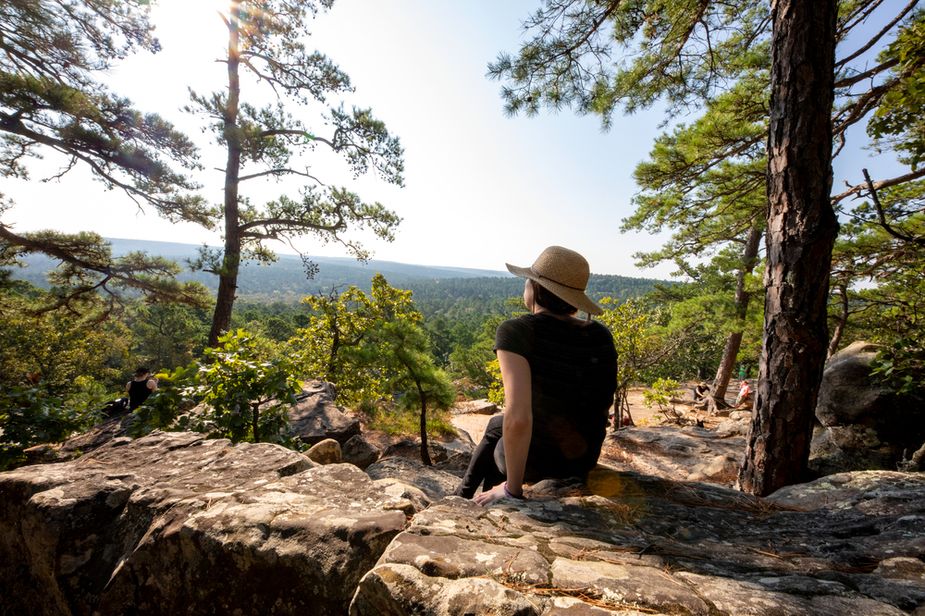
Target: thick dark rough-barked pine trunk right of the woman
{"type": "Point", "coordinates": [800, 235]}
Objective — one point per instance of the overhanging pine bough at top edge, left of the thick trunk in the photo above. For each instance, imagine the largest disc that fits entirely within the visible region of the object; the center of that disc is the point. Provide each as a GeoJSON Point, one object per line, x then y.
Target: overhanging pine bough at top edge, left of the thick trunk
{"type": "Point", "coordinates": [596, 56]}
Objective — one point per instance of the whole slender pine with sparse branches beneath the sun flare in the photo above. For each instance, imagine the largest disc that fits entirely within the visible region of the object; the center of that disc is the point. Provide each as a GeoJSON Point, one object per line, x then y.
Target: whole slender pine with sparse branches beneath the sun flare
{"type": "Point", "coordinates": [267, 50]}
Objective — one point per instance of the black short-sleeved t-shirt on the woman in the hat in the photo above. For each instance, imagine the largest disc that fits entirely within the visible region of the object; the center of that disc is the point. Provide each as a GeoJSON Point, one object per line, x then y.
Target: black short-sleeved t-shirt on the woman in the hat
{"type": "Point", "coordinates": [573, 369]}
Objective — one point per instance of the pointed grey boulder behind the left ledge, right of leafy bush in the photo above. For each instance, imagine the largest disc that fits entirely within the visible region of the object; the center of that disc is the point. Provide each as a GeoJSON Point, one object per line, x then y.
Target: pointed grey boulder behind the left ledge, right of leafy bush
{"type": "Point", "coordinates": [316, 417]}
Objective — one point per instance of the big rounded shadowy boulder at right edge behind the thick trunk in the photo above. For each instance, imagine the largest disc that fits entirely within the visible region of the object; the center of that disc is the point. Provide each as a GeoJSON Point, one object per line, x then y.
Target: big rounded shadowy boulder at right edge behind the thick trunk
{"type": "Point", "coordinates": [862, 425]}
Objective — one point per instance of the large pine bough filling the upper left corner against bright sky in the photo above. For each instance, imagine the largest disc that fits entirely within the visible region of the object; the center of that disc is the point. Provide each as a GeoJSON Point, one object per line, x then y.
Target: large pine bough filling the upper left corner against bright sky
{"type": "Point", "coordinates": [50, 100]}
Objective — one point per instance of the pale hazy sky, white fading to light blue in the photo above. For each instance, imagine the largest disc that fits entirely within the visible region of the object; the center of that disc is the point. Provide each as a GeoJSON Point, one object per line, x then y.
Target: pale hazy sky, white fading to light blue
{"type": "Point", "coordinates": [481, 188]}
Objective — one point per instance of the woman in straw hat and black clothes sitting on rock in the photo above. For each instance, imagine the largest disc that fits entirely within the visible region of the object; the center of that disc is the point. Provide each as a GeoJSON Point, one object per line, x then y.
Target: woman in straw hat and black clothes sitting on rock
{"type": "Point", "coordinates": [559, 374]}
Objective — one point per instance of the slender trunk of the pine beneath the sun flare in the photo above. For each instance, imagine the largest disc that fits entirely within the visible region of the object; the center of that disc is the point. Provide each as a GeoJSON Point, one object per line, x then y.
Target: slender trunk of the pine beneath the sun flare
{"type": "Point", "coordinates": [228, 274]}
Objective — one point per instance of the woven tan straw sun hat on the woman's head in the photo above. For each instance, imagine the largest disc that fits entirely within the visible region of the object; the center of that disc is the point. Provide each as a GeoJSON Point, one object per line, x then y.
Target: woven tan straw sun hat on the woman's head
{"type": "Point", "coordinates": [562, 271]}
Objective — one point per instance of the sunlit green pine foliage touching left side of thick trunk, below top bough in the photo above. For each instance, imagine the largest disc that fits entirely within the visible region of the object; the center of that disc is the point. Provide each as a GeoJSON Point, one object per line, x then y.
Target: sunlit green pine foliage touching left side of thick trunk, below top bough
{"type": "Point", "coordinates": [706, 181]}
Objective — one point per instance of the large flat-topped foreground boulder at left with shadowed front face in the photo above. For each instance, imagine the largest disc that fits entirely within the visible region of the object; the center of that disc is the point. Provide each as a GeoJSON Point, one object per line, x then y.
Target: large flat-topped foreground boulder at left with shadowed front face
{"type": "Point", "coordinates": [178, 524]}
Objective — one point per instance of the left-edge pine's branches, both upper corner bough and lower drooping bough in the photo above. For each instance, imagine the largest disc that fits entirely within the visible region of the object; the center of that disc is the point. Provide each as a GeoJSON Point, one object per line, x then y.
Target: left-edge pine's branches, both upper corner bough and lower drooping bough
{"type": "Point", "coordinates": [52, 102]}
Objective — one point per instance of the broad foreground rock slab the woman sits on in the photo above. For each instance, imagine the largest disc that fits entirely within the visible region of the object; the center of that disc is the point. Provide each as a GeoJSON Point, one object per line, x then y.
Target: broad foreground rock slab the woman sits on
{"type": "Point", "coordinates": [630, 544]}
